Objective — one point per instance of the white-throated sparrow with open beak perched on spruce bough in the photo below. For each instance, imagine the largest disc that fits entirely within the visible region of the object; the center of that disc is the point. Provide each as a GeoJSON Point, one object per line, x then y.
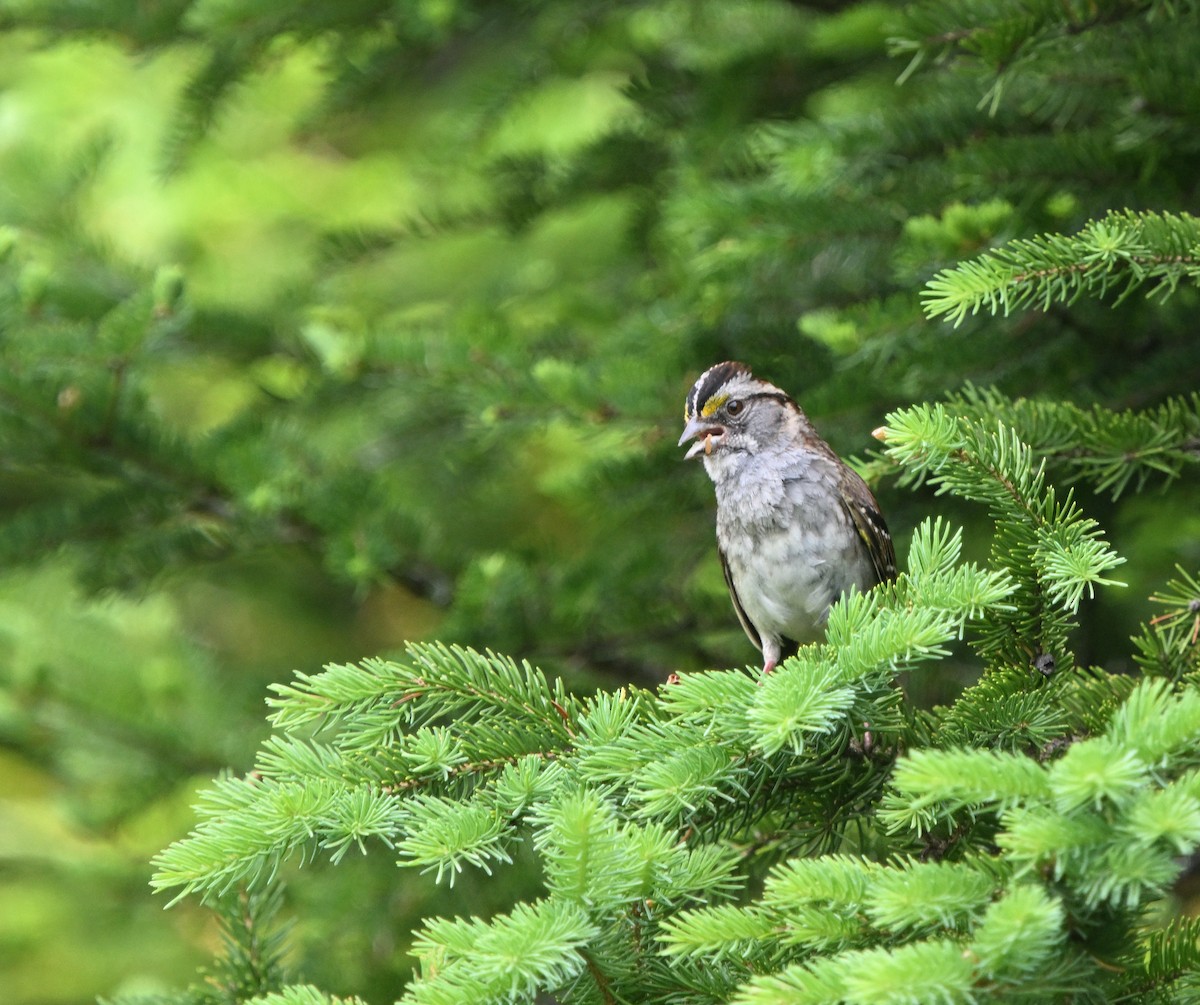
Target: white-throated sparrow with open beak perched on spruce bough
{"type": "Point", "coordinates": [796, 527]}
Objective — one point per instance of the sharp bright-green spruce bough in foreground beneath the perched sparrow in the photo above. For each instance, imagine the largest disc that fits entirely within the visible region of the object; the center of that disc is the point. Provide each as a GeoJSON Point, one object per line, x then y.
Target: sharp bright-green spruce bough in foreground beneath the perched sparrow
{"type": "Point", "coordinates": [806, 838]}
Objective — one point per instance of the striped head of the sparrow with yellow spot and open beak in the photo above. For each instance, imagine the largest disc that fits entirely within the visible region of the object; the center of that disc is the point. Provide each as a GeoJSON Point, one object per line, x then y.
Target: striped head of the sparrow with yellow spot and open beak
{"type": "Point", "coordinates": [729, 410]}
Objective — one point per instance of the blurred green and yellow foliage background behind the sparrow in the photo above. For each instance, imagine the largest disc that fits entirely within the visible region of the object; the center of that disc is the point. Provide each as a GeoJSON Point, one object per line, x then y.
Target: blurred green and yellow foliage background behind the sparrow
{"type": "Point", "coordinates": [326, 327]}
